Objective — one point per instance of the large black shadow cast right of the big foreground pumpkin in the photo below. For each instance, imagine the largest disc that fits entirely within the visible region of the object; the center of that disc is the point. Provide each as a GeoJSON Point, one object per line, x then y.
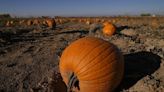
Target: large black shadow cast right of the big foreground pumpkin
{"type": "Point", "coordinates": [137, 66]}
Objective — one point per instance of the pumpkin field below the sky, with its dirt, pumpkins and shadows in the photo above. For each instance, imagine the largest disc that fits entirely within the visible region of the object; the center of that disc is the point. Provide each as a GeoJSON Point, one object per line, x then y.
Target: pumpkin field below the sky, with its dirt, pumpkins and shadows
{"type": "Point", "coordinates": [82, 54]}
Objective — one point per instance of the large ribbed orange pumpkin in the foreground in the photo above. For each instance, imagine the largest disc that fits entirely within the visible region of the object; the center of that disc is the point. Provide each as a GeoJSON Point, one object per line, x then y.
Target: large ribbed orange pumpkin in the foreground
{"type": "Point", "coordinates": [92, 63]}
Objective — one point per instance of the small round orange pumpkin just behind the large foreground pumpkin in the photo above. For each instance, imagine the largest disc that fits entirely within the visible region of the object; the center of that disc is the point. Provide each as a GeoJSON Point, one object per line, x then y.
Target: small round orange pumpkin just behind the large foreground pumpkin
{"type": "Point", "coordinates": [109, 29]}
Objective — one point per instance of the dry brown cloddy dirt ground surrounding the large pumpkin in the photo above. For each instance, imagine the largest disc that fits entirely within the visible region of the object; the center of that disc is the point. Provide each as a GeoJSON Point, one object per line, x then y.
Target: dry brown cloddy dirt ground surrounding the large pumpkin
{"type": "Point", "coordinates": [29, 58]}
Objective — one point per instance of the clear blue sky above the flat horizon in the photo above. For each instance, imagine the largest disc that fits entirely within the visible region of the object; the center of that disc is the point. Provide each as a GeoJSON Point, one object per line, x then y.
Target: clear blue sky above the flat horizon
{"type": "Point", "coordinates": [80, 7]}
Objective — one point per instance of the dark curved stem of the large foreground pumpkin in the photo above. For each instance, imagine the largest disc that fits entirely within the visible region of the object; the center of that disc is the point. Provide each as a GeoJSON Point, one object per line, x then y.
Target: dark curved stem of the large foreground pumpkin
{"type": "Point", "coordinates": [73, 82]}
